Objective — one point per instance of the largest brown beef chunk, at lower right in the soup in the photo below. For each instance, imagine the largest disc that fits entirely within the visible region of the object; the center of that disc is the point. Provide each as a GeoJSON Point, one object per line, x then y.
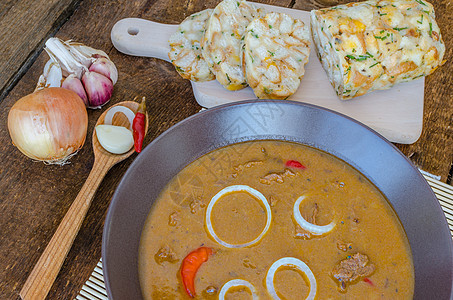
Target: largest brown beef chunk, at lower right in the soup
{"type": "Point", "coordinates": [351, 269]}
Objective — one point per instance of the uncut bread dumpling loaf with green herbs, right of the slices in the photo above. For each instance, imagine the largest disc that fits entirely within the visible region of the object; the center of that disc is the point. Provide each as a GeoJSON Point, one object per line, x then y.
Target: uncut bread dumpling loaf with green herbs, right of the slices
{"type": "Point", "coordinates": [373, 45]}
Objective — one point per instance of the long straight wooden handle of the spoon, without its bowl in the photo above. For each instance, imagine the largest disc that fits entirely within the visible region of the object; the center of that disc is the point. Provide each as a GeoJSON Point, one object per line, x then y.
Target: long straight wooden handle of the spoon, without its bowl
{"type": "Point", "coordinates": [48, 266]}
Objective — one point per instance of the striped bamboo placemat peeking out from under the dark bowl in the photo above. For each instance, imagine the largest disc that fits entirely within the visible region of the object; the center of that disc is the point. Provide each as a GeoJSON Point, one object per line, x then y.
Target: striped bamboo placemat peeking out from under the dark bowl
{"type": "Point", "coordinates": [94, 288]}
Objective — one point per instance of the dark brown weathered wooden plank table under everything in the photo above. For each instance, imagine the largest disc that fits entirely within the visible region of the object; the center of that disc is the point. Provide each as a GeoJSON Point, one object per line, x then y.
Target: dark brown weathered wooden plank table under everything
{"type": "Point", "coordinates": [34, 197]}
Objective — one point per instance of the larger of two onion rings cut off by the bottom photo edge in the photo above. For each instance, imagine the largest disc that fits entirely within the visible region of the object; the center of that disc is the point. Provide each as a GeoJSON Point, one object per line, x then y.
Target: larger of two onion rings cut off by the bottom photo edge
{"type": "Point", "coordinates": [295, 263]}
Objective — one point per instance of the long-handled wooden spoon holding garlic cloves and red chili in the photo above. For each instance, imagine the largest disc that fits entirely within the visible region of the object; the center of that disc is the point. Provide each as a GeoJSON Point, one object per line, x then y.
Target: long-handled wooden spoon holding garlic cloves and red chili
{"type": "Point", "coordinates": [48, 266]}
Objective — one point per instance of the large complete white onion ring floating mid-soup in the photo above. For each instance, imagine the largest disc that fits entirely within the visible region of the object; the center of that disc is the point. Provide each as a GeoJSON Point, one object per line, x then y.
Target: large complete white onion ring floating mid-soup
{"type": "Point", "coordinates": [231, 189]}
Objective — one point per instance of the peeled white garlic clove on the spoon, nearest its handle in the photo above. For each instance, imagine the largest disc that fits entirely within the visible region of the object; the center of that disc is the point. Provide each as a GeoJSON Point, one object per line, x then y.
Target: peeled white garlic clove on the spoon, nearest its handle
{"type": "Point", "coordinates": [114, 139]}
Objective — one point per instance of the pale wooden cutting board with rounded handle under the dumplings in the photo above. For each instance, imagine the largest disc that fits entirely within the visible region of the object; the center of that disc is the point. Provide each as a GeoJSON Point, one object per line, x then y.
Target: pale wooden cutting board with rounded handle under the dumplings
{"type": "Point", "coordinates": [397, 113]}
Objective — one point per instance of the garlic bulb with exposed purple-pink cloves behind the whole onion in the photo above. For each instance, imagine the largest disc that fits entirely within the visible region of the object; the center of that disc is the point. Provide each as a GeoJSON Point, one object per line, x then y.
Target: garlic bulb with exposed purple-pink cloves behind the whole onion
{"type": "Point", "coordinates": [88, 72]}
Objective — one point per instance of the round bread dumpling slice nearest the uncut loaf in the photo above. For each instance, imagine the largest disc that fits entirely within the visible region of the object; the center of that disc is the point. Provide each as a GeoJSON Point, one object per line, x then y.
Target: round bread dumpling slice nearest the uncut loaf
{"type": "Point", "coordinates": [276, 48]}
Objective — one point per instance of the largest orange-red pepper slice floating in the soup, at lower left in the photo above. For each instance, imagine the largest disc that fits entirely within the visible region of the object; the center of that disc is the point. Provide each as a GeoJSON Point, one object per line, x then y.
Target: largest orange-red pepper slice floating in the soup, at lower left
{"type": "Point", "coordinates": [190, 266]}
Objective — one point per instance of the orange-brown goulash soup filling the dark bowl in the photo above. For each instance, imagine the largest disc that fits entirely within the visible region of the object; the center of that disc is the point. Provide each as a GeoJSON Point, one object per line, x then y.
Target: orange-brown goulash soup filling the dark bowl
{"type": "Point", "coordinates": [365, 255]}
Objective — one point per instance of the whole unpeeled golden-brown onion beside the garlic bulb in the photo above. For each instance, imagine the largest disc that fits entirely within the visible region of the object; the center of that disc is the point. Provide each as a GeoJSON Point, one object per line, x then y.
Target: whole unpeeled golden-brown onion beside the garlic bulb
{"type": "Point", "coordinates": [48, 125]}
